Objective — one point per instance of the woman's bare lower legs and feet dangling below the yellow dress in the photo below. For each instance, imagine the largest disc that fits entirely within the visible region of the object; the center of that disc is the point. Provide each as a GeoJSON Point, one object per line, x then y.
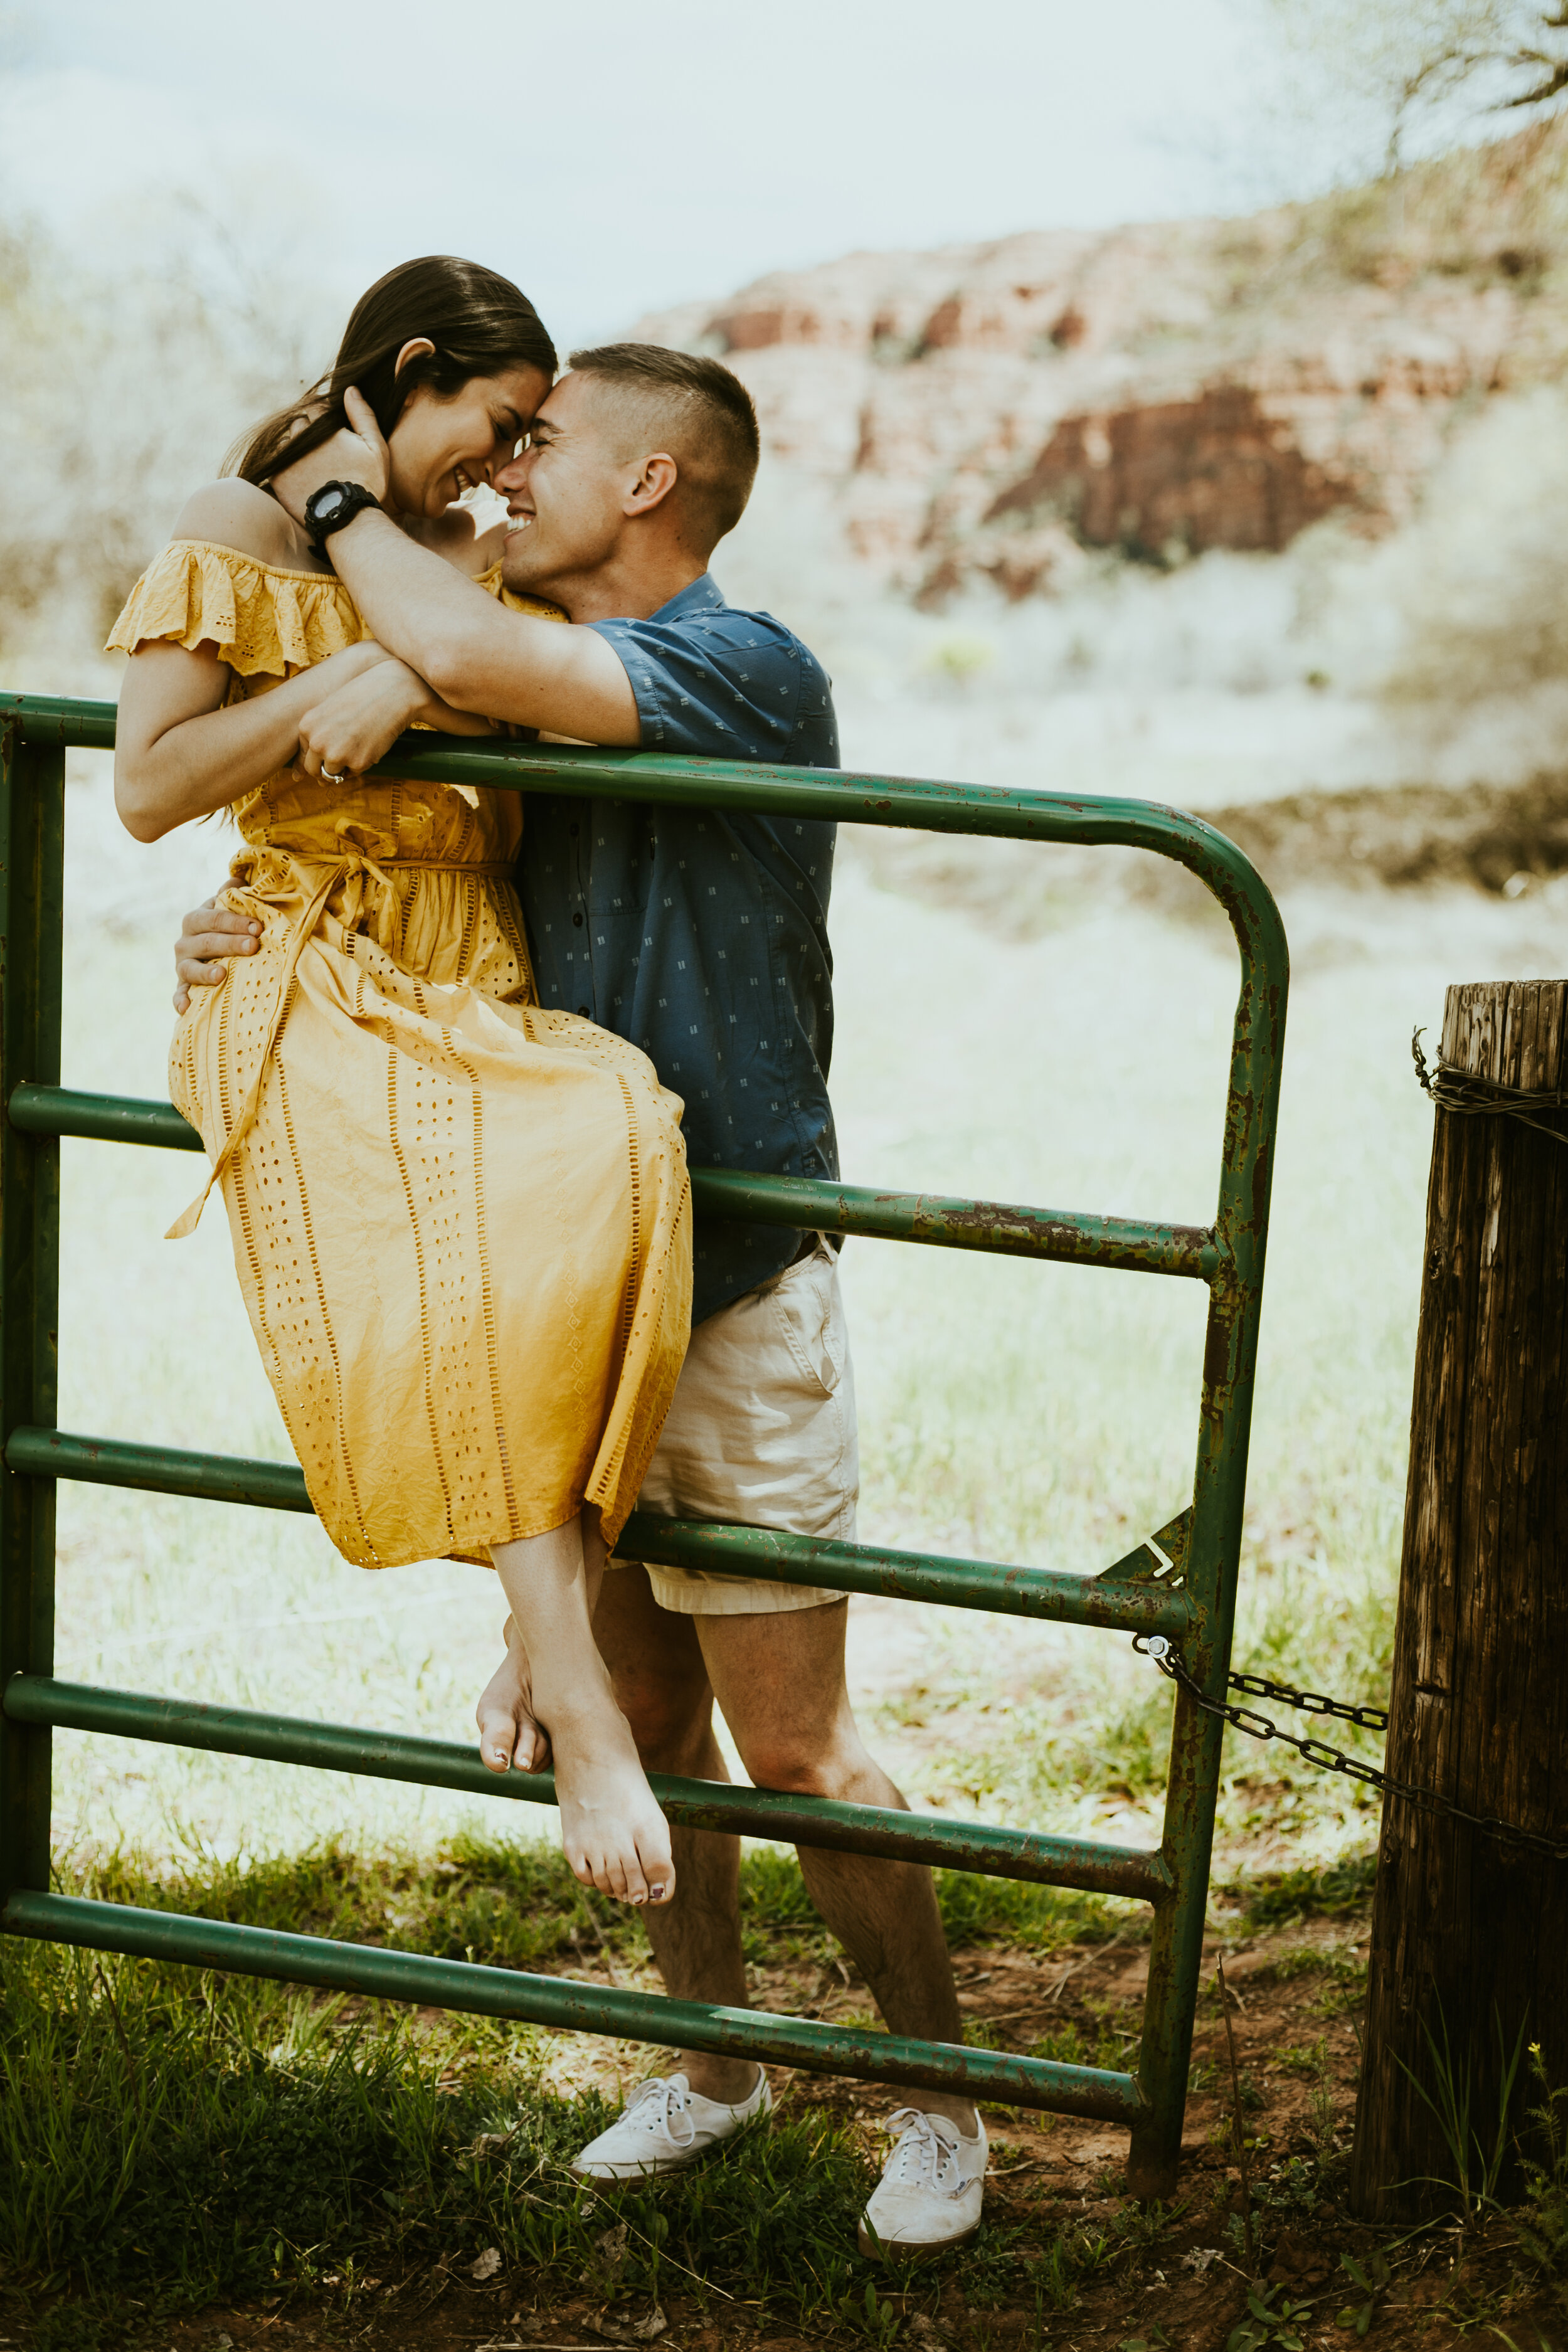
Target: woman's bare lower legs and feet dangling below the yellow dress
{"type": "Point", "coordinates": [612, 1831]}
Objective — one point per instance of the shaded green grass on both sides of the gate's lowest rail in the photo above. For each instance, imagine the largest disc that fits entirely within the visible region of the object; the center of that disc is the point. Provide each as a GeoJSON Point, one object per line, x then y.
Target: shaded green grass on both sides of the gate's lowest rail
{"type": "Point", "coordinates": [170, 2137]}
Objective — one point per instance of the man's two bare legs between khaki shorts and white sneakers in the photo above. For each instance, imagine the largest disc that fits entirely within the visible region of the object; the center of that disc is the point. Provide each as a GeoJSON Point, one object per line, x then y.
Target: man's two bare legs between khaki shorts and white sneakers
{"type": "Point", "coordinates": [782, 1685]}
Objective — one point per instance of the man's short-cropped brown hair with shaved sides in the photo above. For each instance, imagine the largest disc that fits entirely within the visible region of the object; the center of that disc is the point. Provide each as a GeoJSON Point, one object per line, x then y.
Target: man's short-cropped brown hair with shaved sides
{"type": "Point", "coordinates": [697, 410]}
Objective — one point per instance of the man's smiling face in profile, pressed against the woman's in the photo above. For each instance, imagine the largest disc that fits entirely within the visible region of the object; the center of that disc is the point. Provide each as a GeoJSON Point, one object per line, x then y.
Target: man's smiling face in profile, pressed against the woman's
{"type": "Point", "coordinates": [565, 490]}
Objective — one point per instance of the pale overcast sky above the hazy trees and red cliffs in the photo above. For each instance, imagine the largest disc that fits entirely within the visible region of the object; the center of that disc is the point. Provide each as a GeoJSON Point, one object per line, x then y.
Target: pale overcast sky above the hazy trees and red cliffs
{"type": "Point", "coordinates": [619, 156]}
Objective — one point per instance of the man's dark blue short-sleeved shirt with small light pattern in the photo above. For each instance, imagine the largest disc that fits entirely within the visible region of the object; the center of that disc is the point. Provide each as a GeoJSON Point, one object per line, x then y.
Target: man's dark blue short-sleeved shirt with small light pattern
{"type": "Point", "coordinates": [702, 935]}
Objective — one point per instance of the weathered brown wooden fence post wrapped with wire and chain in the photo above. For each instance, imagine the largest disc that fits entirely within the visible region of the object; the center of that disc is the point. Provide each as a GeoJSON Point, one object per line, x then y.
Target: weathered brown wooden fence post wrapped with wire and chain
{"type": "Point", "coordinates": [1470, 1935]}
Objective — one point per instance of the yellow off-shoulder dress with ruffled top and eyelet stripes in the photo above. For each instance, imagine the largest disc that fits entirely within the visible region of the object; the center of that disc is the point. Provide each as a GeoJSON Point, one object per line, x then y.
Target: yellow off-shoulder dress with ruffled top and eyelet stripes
{"type": "Point", "coordinates": [462, 1222]}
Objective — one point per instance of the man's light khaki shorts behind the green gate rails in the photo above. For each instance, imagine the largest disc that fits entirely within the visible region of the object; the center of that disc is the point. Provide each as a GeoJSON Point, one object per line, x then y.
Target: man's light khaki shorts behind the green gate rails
{"type": "Point", "coordinates": [763, 1431]}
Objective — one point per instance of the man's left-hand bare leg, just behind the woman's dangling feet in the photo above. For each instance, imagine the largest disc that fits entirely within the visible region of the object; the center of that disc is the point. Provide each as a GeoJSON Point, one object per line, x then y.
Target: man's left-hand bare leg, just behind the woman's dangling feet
{"type": "Point", "coordinates": [662, 1683]}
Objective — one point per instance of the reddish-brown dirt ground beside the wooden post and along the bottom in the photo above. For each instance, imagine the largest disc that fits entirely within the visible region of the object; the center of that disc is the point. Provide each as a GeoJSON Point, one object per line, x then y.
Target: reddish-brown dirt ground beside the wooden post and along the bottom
{"type": "Point", "coordinates": [1167, 2278]}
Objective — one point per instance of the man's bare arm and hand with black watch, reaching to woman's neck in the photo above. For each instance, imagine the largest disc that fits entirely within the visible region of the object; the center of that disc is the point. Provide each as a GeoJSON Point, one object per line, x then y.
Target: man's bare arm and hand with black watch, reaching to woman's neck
{"type": "Point", "coordinates": [474, 653]}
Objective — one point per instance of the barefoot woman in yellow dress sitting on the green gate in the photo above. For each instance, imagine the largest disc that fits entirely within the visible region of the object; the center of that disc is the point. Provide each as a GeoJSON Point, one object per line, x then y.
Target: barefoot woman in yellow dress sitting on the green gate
{"type": "Point", "coordinates": [462, 1222]}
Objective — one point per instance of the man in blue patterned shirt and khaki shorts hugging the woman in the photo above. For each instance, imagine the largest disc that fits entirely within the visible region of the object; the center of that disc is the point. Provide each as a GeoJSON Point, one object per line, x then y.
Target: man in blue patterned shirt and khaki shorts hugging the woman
{"type": "Point", "coordinates": [699, 937]}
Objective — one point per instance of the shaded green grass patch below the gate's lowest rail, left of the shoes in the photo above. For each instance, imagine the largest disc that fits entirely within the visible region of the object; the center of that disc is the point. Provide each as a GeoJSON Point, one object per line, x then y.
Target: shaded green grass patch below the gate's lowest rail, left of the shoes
{"type": "Point", "coordinates": [196, 2141]}
